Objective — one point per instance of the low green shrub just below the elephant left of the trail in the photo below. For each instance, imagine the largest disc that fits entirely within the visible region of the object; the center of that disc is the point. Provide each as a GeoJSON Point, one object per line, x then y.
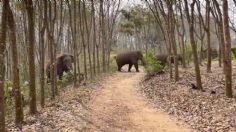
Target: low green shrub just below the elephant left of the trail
{"type": "Point", "coordinates": [66, 79]}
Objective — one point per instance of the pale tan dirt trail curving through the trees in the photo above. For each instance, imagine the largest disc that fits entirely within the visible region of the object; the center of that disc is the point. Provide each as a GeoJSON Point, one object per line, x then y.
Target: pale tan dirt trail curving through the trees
{"type": "Point", "coordinates": [119, 107]}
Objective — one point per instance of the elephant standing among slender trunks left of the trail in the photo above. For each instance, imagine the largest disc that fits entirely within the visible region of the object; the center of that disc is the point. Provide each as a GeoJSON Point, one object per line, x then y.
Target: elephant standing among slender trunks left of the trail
{"type": "Point", "coordinates": [63, 63]}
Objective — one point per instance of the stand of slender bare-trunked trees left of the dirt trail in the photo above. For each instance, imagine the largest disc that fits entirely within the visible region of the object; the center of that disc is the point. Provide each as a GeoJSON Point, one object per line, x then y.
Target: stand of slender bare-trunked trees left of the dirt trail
{"type": "Point", "coordinates": [35, 32]}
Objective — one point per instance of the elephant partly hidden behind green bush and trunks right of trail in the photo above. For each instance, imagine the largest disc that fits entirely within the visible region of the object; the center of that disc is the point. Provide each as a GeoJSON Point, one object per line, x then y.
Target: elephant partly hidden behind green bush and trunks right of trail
{"type": "Point", "coordinates": [163, 58]}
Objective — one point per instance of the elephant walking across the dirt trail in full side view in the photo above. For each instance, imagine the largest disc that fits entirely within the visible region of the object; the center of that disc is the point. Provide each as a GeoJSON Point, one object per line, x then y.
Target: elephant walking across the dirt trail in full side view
{"type": "Point", "coordinates": [130, 58]}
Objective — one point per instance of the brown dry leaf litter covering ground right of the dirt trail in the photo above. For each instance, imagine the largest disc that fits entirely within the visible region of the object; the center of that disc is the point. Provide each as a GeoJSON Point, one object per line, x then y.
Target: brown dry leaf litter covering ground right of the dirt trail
{"type": "Point", "coordinates": [205, 111]}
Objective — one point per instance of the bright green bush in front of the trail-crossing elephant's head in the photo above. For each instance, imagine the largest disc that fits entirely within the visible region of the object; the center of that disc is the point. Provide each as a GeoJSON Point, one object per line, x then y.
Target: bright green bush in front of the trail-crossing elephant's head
{"type": "Point", "coordinates": [152, 65]}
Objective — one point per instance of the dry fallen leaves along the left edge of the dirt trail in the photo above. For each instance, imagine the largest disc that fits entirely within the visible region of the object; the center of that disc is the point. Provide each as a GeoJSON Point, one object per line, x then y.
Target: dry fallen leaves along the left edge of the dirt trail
{"type": "Point", "coordinates": [67, 113]}
